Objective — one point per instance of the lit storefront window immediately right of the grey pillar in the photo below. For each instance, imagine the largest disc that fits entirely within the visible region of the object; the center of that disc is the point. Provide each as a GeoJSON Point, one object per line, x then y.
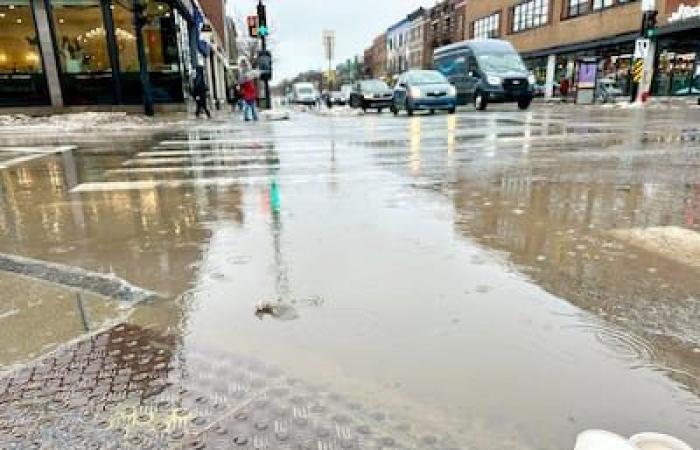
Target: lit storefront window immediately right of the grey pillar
{"type": "Point", "coordinates": [81, 43]}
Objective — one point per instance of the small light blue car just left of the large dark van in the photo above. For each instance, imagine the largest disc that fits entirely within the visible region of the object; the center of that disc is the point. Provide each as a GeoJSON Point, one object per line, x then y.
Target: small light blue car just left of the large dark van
{"type": "Point", "coordinates": [424, 90]}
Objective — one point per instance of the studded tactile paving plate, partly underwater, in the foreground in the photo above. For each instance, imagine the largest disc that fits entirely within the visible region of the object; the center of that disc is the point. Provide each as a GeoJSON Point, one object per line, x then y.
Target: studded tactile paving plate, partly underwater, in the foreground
{"type": "Point", "coordinates": [128, 388]}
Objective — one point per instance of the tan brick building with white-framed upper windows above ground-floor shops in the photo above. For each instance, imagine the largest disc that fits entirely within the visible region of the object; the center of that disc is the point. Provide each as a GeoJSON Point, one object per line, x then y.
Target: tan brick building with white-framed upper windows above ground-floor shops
{"type": "Point", "coordinates": [553, 34]}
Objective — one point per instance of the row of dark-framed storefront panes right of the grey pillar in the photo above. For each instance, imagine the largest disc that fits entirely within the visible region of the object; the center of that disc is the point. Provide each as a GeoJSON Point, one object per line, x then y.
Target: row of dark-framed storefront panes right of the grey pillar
{"type": "Point", "coordinates": [83, 51]}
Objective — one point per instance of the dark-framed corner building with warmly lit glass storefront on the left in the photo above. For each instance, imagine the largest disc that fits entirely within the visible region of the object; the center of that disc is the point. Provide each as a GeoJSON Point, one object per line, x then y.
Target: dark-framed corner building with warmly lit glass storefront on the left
{"type": "Point", "coordinates": [87, 53]}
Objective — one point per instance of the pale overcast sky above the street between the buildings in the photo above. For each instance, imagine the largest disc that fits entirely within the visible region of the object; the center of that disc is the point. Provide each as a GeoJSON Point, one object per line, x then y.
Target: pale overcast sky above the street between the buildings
{"type": "Point", "coordinates": [297, 26]}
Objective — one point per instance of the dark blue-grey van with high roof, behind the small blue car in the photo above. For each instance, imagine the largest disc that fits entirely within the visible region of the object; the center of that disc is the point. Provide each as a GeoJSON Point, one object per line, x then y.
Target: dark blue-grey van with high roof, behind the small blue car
{"type": "Point", "coordinates": [486, 71]}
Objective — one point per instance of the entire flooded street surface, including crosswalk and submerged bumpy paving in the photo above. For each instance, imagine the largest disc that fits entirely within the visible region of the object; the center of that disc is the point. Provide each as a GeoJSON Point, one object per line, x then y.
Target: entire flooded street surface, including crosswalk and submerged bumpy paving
{"type": "Point", "coordinates": [480, 281]}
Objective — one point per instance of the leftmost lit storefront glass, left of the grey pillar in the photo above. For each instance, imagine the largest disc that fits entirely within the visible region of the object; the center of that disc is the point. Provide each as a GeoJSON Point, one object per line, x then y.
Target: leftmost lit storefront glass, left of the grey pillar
{"type": "Point", "coordinates": [22, 79]}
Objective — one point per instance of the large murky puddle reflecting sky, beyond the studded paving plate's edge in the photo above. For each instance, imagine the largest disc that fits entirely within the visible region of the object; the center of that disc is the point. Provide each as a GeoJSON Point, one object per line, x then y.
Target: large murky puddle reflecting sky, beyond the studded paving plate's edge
{"type": "Point", "coordinates": [461, 273]}
